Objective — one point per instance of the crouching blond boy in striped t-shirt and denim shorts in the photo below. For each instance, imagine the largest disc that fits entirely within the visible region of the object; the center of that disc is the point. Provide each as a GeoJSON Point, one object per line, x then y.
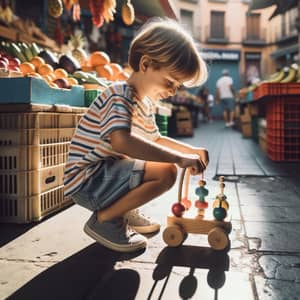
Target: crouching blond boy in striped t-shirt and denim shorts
{"type": "Point", "coordinates": [117, 159]}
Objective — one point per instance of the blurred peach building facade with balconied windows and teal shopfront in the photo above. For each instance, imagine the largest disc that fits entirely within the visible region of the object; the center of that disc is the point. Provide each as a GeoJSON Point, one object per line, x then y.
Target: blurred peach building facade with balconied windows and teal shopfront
{"type": "Point", "coordinates": [245, 42]}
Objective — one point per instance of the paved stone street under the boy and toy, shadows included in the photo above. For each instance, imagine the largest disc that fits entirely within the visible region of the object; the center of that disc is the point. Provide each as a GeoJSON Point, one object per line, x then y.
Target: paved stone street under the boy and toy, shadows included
{"type": "Point", "coordinates": [54, 259]}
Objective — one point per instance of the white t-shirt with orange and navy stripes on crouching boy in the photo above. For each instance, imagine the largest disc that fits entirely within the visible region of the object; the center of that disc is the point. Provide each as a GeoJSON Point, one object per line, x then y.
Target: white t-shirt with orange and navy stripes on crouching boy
{"type": "Point", "coordinates": [115, 108]}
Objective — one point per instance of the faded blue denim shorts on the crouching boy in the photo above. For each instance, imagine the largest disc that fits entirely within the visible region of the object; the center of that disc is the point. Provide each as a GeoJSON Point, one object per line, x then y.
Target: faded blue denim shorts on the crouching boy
{"type": "Point", "coordinates": [114, 179]}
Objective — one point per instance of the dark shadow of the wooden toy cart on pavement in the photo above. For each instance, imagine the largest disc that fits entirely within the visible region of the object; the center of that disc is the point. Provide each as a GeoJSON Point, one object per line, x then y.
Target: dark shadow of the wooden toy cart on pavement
{"type": "Point", "coordinates": [217, 262]}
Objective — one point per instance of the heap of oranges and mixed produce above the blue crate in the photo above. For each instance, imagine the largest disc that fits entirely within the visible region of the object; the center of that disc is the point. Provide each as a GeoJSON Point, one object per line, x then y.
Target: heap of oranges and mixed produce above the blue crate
{"type": "Point", "coordinates": [60, 70]}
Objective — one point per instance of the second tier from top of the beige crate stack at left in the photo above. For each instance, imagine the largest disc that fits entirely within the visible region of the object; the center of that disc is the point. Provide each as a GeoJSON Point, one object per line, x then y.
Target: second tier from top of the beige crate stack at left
{"type": "Point", "coordinates": [39, 136]}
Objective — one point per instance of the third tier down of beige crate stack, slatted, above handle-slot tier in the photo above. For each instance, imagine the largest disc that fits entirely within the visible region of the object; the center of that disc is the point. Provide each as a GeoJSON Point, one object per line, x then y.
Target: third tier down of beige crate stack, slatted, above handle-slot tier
{"type": "Point", "coordinates": [32, 157]}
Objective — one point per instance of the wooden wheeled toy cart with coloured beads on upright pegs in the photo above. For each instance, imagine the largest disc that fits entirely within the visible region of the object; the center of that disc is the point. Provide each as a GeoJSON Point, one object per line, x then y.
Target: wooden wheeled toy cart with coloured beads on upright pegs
{"type": "Point", "coordinates": [184, 221]}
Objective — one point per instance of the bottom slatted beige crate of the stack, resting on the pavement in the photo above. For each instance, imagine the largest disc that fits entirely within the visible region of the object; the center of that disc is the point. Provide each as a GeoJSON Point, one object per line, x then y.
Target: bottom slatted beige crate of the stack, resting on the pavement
{"type": "Point", "coordinates": [14, 209]}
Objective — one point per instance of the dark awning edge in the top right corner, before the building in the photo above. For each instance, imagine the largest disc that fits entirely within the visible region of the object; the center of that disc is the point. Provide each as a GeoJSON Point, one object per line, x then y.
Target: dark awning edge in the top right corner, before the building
{"type": "Point", "coordinates": [281, 5]}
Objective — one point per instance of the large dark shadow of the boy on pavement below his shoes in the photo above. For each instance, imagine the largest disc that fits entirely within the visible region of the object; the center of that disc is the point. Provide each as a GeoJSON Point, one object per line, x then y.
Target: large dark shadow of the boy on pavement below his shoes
{"type": "Point", "coordinates": [88, 274]}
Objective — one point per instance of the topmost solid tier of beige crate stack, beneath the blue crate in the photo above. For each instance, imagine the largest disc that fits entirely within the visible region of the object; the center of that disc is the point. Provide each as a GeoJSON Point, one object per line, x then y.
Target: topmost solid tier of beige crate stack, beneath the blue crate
{"type": "Point", "coordinates": [38, 120]}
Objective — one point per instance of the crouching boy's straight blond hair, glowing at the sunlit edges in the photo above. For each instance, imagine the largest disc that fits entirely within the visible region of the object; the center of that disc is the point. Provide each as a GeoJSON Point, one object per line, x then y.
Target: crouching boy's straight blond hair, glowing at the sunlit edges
{"type": "Point", "coordinates": [169, 46]}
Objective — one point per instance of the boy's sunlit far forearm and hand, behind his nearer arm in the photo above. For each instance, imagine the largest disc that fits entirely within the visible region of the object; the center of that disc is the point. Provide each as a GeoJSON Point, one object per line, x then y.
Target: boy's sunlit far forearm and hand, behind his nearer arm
{"type": "Point", "coordinates": [184, 148]}
